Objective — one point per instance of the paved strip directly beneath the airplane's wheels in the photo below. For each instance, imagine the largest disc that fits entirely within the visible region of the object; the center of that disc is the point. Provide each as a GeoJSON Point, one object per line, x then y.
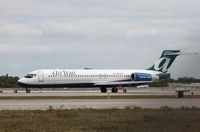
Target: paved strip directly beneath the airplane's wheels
{"type": "Point", "coordinates": [96, 92]}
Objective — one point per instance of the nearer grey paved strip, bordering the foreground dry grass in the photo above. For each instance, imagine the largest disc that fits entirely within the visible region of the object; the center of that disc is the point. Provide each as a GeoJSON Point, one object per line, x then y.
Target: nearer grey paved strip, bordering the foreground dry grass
{"type": "Point", "coordinates": [96, 103]}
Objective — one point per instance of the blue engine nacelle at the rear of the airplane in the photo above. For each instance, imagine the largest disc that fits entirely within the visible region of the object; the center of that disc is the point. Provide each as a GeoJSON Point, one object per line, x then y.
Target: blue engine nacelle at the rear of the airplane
{"type": "Point", "coordinates": [141, 77]}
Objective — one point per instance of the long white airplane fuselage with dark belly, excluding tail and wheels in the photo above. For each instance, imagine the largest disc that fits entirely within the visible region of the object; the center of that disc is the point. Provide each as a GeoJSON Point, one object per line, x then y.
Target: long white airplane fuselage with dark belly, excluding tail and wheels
{"type": "Point", "coordinates": [85, 78]}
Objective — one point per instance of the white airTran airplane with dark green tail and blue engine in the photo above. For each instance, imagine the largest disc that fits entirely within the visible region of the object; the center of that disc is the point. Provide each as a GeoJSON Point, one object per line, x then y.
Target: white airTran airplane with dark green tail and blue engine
{"type": "Point", "coordinates": [105, 78]}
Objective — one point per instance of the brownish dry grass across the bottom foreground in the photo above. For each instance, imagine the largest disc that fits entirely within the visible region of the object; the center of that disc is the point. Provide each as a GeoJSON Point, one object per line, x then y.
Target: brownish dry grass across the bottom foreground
{"type": "Point", "coordinates": [106, 120]}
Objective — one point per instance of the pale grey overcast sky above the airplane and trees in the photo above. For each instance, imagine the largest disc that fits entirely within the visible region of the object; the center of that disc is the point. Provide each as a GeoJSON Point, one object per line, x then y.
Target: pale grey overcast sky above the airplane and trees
{"type": "Point", "coordinates": [102, 34]}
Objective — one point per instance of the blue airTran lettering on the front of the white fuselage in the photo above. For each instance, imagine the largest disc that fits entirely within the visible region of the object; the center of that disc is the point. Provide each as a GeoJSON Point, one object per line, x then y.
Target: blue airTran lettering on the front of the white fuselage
{"type": "Point", "coordinates": [63, 73]}
